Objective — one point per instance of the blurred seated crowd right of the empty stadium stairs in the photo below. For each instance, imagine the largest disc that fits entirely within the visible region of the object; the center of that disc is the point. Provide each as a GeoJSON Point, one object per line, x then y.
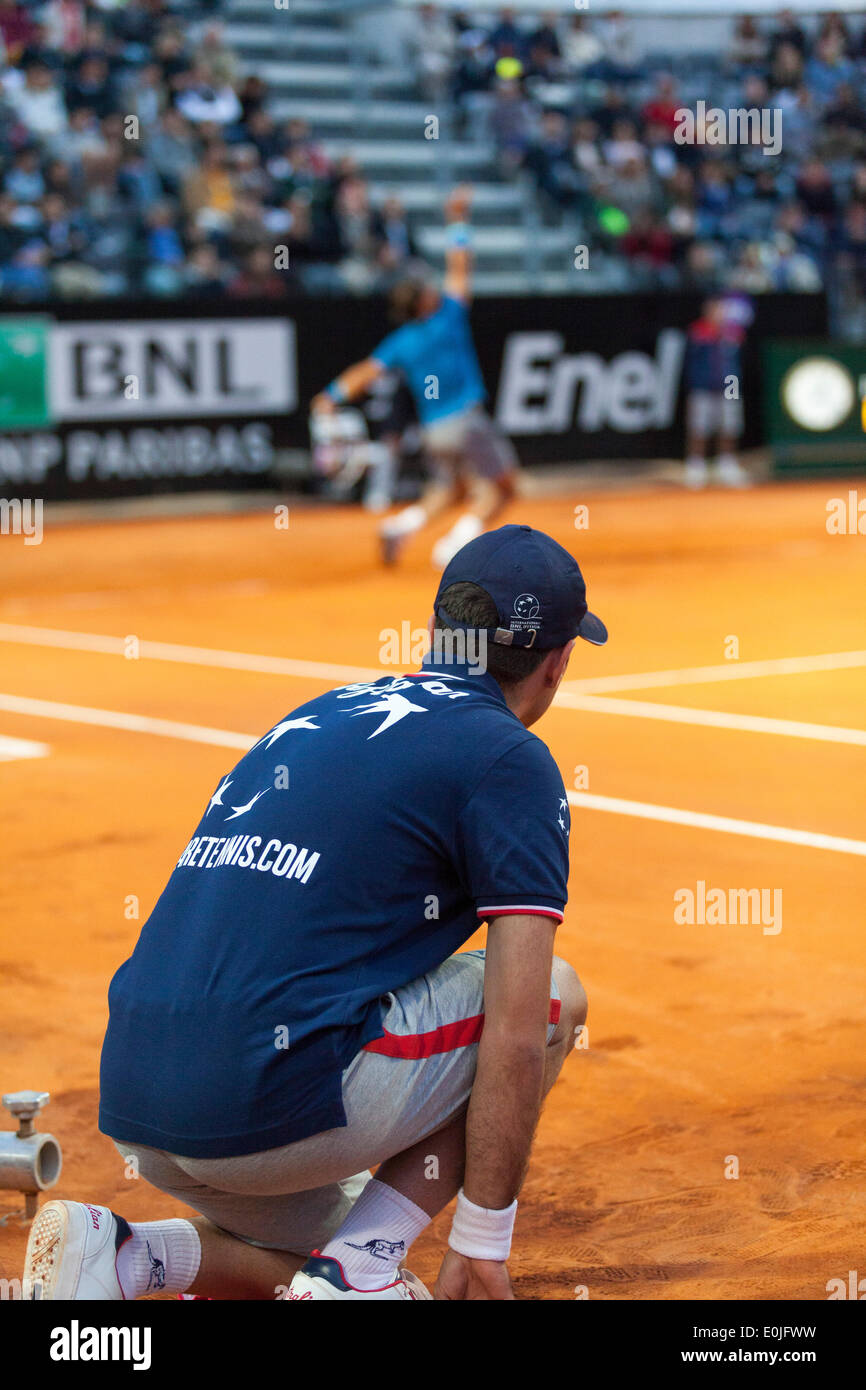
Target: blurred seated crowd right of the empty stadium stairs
{"type": "Point", "coordinates": [578, 106]}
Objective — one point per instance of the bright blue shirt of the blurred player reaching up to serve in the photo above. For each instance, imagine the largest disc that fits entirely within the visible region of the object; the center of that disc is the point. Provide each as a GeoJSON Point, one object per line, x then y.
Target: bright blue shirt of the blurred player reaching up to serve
{"type": "Point", "coordinates": [440, 348]}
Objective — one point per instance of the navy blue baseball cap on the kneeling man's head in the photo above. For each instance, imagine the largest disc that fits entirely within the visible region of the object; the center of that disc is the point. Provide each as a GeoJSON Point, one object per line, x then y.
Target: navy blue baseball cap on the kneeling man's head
{"type": "Point", "coordinates": [536, 584]}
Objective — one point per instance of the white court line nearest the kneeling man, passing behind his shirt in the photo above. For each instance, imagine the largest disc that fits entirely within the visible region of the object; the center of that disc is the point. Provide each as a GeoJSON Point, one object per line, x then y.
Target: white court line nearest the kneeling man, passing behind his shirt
{"type": "Point", "coordinates": [226, 739]}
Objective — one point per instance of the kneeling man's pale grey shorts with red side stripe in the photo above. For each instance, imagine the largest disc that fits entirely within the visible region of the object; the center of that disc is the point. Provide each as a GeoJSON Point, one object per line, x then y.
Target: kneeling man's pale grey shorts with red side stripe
{"type": "Point", "coordinates": [398, 1090]}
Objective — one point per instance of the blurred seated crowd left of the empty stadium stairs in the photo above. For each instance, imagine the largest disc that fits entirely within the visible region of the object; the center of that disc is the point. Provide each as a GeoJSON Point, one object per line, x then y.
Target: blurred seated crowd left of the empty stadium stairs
{"type": "Point", "coordinates": [138, 159]}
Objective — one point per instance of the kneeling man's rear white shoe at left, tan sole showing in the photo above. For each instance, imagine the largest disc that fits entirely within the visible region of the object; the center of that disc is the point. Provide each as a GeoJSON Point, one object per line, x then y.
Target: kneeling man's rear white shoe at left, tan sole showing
{"type": "Point", "coordinates": [72, 1253]}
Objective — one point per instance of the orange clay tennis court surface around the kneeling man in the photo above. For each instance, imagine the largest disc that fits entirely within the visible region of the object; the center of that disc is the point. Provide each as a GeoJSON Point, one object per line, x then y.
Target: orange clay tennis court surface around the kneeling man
{"type": "Point", "coordinates": [705, 1042]}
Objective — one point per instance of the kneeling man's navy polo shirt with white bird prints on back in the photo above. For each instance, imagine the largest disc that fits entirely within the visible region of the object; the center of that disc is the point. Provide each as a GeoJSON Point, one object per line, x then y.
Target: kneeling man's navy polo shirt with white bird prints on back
{"type": "Point", "coordinates": [351, 851]}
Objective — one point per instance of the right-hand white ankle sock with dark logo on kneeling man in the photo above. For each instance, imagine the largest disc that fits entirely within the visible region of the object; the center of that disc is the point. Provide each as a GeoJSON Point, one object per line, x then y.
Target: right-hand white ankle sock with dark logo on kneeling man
{"type": "Point", "coordinates": [376, 1236]}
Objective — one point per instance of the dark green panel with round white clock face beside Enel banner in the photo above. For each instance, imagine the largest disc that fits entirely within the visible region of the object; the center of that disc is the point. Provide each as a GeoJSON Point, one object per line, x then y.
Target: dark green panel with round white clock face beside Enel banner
{"type": "Point", "coordinates": [815, 407]}
